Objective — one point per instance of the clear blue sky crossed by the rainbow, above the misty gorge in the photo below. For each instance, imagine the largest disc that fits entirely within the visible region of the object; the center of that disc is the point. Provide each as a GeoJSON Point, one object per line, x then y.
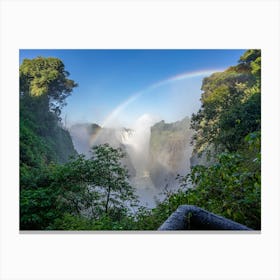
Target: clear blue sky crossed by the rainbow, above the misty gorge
{"type": "Point", "coordinates": [117, 87]}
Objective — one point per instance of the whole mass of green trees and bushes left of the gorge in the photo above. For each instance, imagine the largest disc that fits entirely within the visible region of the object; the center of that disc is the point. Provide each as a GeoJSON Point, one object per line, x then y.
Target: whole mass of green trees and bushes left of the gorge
{"type": "Point", "coordinates": [80, 193]}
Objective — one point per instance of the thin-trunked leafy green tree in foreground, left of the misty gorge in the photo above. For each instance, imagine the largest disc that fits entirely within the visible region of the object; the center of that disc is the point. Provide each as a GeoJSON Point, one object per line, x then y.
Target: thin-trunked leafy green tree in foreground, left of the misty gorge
{"type": "Point", "coordinates": [96, 187]}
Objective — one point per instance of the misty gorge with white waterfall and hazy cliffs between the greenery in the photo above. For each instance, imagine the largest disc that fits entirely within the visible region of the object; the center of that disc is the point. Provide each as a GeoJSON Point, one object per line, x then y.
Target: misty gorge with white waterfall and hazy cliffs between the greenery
{"type": "Point", "coordinates": [155, 153]}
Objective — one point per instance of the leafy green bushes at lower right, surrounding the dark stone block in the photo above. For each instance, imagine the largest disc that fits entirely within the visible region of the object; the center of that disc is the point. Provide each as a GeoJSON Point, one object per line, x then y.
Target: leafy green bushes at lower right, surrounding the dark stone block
{"type": "Point", "coordinates": [231, 188]}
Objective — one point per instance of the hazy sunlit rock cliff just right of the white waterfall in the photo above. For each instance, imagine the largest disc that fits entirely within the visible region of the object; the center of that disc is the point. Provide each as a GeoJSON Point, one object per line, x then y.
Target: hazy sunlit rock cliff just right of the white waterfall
{"type": "Point", "coordinates": [170, 151]}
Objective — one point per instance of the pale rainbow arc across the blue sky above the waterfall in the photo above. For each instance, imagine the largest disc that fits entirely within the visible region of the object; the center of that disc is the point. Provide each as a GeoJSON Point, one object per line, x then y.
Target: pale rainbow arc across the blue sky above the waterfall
{"type": "Point", "coordinates": [170, 80]}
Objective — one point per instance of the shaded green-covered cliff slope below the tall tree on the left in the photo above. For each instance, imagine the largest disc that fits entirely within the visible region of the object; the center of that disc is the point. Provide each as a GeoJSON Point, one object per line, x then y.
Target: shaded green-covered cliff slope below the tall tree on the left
{"type": "Point", "coordinates": [42, 137]}
